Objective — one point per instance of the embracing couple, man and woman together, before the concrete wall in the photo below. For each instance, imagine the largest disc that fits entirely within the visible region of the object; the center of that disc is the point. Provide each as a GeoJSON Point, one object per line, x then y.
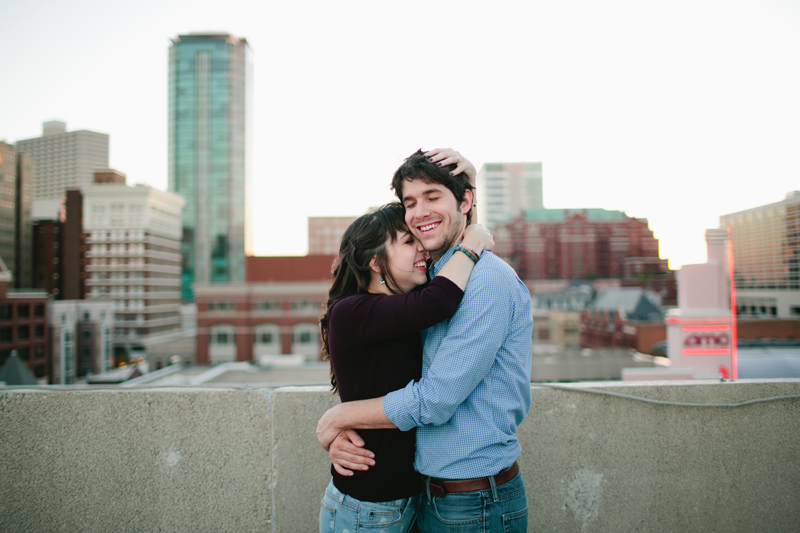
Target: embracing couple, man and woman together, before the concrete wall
{"type": "Point", "coordinates": [434, 376]}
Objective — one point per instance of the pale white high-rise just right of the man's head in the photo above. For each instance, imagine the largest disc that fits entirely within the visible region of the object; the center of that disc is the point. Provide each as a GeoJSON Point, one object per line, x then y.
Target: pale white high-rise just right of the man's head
{"type": "Point", "coordinates": [507, 189]}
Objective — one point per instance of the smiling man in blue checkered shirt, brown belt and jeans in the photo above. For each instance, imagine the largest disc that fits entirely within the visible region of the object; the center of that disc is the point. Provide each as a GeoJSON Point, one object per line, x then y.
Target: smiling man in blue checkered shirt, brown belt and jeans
{"type": "Point", "coordinates": [475, 386]}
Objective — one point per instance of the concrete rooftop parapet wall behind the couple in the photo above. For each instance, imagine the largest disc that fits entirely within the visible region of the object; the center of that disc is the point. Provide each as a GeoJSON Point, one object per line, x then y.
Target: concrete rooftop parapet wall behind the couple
{"type": "Point", "coordinates": [199, 460]}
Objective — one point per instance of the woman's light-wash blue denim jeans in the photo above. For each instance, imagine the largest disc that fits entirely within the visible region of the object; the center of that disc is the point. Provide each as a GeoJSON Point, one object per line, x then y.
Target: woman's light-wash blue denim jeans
{"type": "Point", "coordinates": [343, 514]}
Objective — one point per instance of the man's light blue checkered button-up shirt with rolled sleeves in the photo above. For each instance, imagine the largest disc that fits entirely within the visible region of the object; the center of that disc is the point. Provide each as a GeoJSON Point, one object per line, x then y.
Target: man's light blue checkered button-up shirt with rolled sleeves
{"type": "Point", "coordinates": [475, 387]}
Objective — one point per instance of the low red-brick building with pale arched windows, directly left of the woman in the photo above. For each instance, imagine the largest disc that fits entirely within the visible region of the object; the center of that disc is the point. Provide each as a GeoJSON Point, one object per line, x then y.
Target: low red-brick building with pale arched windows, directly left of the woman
{"type": "Point", "coordinates": [275, 312]}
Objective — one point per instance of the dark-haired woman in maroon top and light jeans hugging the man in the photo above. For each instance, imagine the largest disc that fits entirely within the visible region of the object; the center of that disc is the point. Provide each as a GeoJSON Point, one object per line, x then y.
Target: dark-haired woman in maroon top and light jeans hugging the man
{"type": "Point", "coordinates": [370, 333]}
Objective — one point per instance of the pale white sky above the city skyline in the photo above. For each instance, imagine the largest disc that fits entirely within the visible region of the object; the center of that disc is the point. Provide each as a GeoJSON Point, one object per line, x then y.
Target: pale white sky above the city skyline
{"type": "Point", "coordinates": [676, 111]}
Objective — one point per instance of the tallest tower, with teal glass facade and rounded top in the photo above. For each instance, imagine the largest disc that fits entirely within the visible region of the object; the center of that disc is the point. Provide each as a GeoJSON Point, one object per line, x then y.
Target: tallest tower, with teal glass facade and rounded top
{"type": "Point", "coordinates": [209, 90]}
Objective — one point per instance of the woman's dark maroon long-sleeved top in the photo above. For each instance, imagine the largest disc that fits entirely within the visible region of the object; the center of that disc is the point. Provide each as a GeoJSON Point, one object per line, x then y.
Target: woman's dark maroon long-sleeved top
{"type": "Point", "coordinates": [375, 348]}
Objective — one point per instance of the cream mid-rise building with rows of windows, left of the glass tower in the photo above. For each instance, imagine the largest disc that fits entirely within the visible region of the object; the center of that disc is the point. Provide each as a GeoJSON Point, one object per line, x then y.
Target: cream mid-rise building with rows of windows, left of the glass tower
{"type": "Point", "coordinates": [133, 258]}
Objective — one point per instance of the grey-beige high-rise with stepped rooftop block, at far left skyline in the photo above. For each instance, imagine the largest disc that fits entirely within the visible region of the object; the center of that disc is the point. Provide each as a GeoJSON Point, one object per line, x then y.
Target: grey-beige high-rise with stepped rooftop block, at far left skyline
{"type": "Point", "coordinates": [64, 160]}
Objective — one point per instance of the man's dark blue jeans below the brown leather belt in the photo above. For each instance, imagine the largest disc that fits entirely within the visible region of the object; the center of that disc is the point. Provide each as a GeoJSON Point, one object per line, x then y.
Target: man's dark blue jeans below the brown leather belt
{"type": "Point", "coordinates": [502, 509]}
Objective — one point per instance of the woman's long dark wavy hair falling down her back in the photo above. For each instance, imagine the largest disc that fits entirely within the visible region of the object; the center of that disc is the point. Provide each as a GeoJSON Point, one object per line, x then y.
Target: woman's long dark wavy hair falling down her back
{"type": "Point", "coordinates": [364, 239]}
